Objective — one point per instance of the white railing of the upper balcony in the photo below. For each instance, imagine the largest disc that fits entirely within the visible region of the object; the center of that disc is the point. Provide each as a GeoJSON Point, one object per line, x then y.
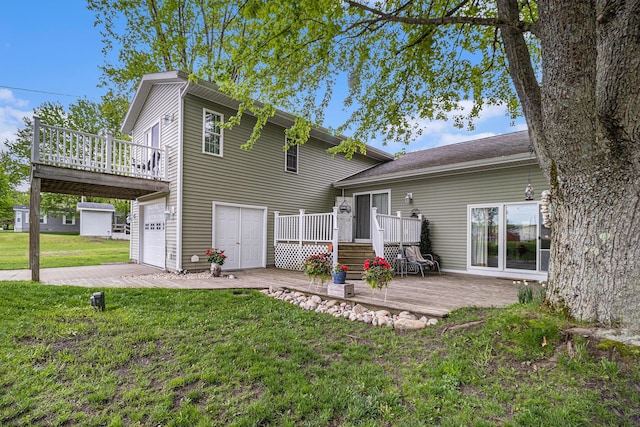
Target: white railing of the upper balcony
{"type": "Point", "coordinates": [72, 149]}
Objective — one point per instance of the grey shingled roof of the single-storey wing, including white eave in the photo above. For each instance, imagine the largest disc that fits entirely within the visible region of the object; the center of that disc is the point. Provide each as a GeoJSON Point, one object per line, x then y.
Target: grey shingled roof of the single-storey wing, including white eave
{"type": "Point", "coordinates": [495, 151]}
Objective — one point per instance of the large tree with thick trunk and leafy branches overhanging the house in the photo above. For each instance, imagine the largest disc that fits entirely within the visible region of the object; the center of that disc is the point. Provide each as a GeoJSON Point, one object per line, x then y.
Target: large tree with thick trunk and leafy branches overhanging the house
{"type": "Point", "coordinates": [571, 67]}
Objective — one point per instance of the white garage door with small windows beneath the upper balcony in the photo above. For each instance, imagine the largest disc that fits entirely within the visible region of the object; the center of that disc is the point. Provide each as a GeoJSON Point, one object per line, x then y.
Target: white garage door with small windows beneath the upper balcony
{"type": "Point", "coordinates": [153, 250]}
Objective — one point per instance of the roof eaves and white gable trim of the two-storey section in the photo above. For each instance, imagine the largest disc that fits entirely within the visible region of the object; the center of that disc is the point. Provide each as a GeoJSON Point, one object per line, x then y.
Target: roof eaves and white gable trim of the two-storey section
{"type": "Point", "coordinates": [209, 91]}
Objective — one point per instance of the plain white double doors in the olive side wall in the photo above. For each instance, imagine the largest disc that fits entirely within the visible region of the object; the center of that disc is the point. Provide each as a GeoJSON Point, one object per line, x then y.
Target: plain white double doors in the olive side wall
{"type": "Point", "coordinates": [240, 231]}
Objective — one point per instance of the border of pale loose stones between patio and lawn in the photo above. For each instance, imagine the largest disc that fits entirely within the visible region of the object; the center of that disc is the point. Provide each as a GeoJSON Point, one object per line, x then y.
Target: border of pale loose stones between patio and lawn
{"type": "Point", "coordinates": [383, 318]}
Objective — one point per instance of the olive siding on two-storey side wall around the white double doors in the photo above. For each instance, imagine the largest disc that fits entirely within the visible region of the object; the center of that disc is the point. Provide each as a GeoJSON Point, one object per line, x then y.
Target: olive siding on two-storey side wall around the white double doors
{"type": "Point", "coordinates": [255, 178]}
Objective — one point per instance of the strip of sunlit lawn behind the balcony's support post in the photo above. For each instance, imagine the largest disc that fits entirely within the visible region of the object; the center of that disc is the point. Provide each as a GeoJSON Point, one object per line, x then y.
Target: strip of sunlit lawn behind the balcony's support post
{"type": "Point", "coordinates": [60, 250]}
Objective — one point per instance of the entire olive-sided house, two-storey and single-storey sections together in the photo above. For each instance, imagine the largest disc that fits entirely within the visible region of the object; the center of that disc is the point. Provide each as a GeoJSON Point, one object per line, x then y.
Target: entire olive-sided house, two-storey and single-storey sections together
{"type": "Point", "coordinates": [249, 202]}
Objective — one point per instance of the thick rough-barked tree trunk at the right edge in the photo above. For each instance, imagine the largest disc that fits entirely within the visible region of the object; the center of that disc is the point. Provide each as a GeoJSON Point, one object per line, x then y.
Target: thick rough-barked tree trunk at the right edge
{"type": "Point", "coordinates": [591, 134]}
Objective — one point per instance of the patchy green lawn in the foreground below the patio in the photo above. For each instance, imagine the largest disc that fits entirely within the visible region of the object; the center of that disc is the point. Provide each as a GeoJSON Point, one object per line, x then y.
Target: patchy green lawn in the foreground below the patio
{"type": "Point", "coordinates": [189, 358]}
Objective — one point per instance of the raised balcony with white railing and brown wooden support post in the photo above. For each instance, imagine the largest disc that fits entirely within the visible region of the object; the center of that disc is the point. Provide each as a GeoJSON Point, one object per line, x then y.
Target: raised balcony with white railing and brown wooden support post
{"type": "Point", "coordinates": [72, 162]}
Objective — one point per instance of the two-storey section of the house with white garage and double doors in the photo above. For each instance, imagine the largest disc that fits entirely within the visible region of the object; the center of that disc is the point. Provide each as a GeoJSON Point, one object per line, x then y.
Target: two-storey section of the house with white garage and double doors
{"type": "Point", "coordinates": [221, 195]}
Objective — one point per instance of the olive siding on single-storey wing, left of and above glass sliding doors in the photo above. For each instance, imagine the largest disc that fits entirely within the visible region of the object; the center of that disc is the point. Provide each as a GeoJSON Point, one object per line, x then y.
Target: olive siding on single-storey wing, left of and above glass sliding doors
{"type": "Point", "coordinates": [443, 200]}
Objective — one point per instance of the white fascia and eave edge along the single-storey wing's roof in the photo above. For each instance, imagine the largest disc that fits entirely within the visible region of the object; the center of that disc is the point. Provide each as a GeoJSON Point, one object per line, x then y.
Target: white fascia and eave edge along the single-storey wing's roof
{"type": "Point", "coordinates": [451, 169]}
